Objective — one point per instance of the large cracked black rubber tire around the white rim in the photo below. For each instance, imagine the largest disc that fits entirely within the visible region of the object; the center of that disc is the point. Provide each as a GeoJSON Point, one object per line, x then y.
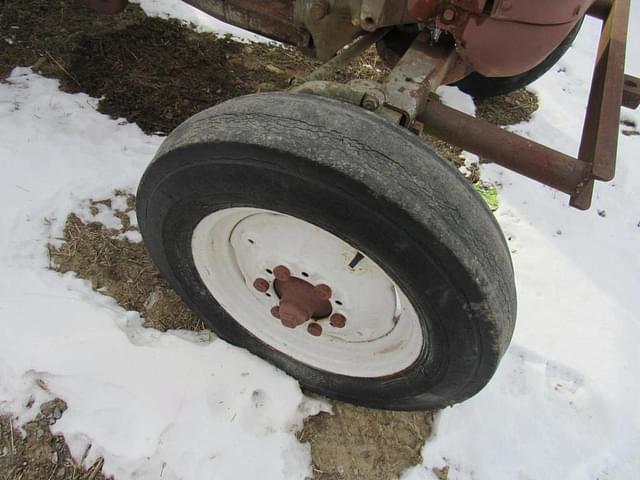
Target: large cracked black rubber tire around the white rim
{"type": "Point", "coordinates": [374, 185]}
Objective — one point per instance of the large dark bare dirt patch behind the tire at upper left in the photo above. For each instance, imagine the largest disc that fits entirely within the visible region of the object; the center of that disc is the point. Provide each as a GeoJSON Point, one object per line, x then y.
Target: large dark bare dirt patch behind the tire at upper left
{"type": "Point", "coordinates": [151, 71]}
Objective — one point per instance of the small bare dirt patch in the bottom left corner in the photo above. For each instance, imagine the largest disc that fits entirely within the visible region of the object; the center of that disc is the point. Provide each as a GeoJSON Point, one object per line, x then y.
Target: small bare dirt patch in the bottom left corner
{"type": "Point", "coordinates": [34, 453]}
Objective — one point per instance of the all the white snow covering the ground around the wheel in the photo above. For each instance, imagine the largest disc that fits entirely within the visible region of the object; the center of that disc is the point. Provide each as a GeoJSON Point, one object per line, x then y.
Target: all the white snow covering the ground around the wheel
{"type": "Point", "coordinates": [563, 404]}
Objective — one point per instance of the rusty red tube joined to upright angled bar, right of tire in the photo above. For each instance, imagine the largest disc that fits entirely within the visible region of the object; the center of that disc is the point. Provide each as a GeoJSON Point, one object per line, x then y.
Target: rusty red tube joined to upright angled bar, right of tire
{"type": "Point", "coordinates": [598, 147]}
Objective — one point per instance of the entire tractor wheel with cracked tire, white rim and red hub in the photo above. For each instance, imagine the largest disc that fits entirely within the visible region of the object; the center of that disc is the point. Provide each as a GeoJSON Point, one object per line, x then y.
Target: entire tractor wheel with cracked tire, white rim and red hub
{"type": "Point", "coordinates": [334, 245]}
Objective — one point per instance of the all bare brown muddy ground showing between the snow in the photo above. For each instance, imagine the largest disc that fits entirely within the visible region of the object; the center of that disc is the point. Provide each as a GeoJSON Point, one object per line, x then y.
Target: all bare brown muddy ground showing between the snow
{"type": "Point", "coordinates": [157, 73]}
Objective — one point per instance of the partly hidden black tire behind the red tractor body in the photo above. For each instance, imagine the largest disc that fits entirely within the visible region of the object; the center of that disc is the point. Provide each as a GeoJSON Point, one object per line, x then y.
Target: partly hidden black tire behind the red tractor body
{"type": "Point", "coordinates": [479, 86]}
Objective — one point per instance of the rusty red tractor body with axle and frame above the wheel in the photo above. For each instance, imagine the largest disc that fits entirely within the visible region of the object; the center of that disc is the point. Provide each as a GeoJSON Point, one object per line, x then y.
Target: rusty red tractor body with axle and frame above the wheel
{"type": "Point", "coordinates": [493, 38]}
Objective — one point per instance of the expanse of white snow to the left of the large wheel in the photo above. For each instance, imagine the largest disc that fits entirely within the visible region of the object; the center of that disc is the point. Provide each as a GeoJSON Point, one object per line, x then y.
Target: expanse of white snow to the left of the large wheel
{"type": "Point", "coordinates": [174, 405]}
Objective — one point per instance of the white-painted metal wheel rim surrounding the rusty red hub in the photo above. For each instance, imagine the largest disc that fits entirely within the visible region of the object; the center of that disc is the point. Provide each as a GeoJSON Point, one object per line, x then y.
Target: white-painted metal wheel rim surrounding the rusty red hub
{"type": "Point", "coordinates": [382, 335]}
